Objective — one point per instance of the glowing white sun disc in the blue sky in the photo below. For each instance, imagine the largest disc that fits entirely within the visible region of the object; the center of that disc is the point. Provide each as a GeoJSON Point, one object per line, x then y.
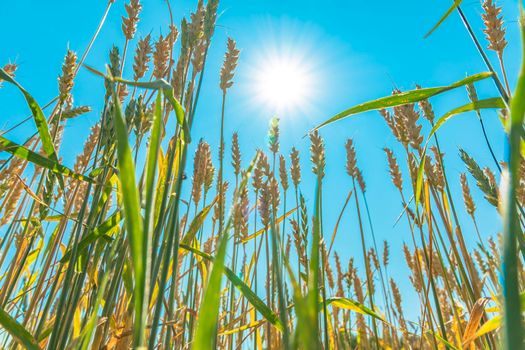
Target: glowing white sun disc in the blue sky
{"type": "Point", "coordinates": [283, 82]}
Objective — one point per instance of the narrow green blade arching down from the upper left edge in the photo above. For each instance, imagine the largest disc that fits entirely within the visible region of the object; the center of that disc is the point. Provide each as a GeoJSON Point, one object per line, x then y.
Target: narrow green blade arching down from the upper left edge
{"type": "Point", "coordinates": [38, 115]}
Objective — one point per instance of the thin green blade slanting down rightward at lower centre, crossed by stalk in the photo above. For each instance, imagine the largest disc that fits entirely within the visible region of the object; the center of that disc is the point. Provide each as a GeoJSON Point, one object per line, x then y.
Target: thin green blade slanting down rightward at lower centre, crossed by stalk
{"type": "Point", "coordinates": [246, 291]}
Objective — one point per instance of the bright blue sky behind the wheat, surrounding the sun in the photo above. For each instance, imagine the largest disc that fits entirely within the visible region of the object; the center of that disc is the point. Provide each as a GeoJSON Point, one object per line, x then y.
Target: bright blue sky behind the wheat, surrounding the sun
{"type": "Point", "coordinates": [359, 50]}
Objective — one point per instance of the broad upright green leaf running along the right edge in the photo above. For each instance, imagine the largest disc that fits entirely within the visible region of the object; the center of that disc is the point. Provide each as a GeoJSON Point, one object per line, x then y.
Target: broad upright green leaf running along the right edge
{"type": "Point", "coordinates": [512, 322]}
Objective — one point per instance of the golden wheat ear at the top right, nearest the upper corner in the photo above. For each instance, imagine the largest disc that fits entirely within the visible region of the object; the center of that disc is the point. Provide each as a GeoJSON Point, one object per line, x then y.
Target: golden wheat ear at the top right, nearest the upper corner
{"type": "Point", "coordinates": [494, 30]}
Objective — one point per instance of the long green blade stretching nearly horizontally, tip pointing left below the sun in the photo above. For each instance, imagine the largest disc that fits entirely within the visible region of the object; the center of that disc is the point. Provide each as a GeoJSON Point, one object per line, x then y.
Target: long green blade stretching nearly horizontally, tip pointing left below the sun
{"type": "Point", "coordinates": [403, 98]}
